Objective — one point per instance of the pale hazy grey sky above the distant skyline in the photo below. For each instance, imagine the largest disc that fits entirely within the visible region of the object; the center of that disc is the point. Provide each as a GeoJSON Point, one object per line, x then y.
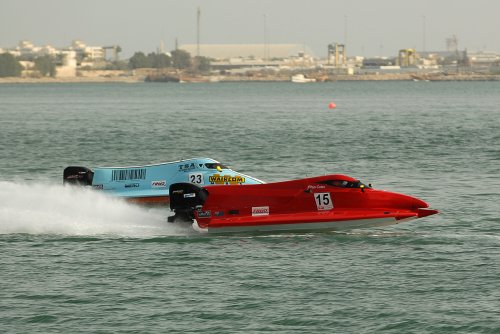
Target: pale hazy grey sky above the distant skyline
{"type": "Point", "coordinates": [374, 27]}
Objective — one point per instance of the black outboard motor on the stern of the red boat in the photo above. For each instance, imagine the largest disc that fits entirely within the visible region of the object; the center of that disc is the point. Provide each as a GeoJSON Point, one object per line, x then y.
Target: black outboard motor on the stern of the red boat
{"type": "Point", "coordinates": [184, 199]}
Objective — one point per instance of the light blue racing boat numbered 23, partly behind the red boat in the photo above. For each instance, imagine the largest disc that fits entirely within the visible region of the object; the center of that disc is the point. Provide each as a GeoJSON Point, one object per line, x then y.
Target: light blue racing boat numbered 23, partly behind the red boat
{"type": "Point", "coordinates": [150, 184]}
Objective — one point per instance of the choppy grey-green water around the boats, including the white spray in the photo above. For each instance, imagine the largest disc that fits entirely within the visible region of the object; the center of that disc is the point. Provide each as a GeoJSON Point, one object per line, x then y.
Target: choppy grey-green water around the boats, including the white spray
{"type": "Point", "coordinates": [73, 261]}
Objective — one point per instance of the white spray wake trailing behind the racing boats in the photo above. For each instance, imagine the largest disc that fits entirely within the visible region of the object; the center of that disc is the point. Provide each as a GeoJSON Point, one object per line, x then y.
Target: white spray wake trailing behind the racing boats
{"type": "Point", "coordinates": [37, 208]}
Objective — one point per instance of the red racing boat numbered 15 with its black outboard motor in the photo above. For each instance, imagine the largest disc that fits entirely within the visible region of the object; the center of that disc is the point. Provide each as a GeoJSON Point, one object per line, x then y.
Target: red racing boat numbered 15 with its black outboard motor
{"type": "Point", "coordinates": [330, 202]}
